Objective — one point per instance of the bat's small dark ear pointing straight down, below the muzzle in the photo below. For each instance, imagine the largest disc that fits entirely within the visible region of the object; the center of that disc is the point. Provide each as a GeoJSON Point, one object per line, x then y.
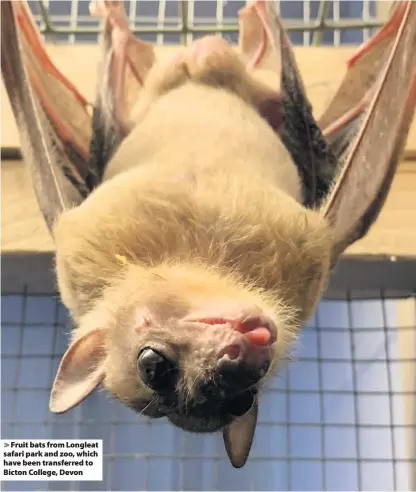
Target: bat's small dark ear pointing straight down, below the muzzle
{"type": "Point", "coordinates": [238, 436]}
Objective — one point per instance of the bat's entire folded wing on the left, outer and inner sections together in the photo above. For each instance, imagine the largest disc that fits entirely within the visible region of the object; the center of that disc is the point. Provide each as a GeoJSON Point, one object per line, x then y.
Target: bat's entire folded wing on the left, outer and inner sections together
{"type": "Point", "coordinates": [65, 148]}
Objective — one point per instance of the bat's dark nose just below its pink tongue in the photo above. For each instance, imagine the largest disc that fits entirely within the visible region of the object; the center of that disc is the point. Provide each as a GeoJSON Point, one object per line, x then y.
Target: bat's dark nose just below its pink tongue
{"type": "Point", "coordinates": [240, 368]}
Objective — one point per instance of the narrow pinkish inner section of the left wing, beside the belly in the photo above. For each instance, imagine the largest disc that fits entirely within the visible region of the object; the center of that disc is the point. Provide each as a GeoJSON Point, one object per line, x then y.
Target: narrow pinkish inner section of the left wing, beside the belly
{"type": "Point", "coordinates": [124, 66]}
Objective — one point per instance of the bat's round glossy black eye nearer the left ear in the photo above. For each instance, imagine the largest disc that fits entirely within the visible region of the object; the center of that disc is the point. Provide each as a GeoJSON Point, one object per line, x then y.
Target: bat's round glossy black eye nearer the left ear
{"type": "Point", "coordinates": [156, 370]}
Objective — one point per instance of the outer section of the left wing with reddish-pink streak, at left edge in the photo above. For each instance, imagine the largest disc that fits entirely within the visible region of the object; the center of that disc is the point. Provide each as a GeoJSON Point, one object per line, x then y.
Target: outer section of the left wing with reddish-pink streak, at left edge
{"type": "Point", "coordinates": [53, 147]}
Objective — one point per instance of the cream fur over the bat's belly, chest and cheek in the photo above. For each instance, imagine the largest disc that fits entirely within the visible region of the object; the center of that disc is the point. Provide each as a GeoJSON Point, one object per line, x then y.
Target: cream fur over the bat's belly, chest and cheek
{"type": "Point", "coordinates": [201, 202]}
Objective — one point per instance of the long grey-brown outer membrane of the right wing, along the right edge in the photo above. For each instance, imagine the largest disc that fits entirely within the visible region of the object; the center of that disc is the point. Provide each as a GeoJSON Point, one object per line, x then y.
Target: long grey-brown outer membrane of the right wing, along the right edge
{"type": "Point", "coordinates": [373, 154]}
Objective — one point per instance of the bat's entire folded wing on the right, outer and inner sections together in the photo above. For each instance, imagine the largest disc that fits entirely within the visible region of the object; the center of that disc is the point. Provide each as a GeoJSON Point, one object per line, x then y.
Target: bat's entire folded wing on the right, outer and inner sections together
{"type": "Point", "coordinates": [350, 155]}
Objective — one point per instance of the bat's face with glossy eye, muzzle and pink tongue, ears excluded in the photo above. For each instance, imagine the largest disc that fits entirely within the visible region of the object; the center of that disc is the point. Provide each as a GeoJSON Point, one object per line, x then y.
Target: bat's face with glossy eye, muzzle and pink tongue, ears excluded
{"type": "Point", "coordinates": [196, 359]}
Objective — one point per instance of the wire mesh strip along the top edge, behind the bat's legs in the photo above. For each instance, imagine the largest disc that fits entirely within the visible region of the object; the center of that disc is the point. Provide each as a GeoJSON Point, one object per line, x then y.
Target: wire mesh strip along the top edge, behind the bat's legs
{"type": "Point", "coordinates": [170, 21]}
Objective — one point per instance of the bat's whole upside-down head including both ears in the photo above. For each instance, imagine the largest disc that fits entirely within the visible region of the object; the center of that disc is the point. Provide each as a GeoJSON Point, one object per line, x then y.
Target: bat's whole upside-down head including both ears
{"type": "Point", "coordinates": [183, 343]}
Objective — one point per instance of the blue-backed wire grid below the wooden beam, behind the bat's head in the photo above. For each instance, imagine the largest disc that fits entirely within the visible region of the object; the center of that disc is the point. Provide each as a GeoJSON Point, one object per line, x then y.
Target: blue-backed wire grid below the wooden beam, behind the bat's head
{"type": "Point", "coordinates": [326, 424]}
